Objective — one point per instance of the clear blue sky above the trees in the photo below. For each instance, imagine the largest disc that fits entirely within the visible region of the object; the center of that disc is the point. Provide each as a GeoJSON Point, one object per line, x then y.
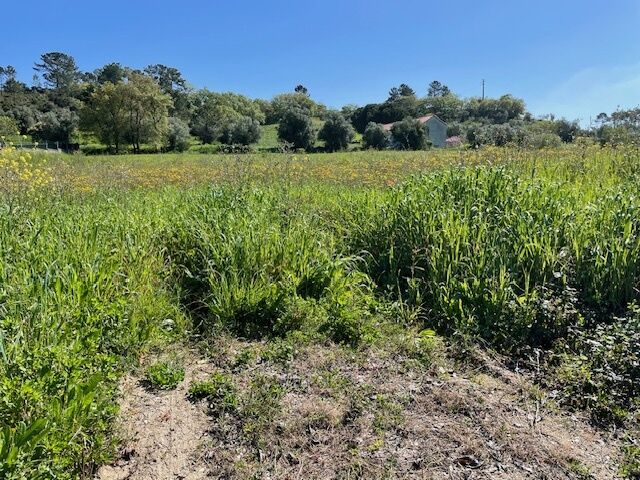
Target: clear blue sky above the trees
{"type": "Point", "coordinates": [571, 57]}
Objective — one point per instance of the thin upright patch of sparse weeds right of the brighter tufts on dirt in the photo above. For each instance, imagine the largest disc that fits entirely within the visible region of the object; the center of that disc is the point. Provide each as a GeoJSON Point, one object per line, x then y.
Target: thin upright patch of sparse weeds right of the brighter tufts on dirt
{"type": "Point", "coordinates": [260, 407]}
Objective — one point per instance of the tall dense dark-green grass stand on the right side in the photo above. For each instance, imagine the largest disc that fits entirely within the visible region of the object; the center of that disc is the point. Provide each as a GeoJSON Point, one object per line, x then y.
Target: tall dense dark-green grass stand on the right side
{"type": "Point", "coordinates": [512, 260]}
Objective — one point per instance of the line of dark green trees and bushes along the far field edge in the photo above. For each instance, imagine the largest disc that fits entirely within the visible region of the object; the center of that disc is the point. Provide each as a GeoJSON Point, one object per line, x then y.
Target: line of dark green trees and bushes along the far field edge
{"type": "Point", "coordinates": [126, 108]}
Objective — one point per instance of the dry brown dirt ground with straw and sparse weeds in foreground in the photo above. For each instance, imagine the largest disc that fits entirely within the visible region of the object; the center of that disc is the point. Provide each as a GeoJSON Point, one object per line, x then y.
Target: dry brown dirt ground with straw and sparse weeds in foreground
{"type": "Point", "coordinates": [327, 412]}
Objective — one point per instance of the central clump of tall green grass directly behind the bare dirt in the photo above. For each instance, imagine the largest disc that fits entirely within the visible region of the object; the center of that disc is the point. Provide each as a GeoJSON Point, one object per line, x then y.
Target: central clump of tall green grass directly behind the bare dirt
{"type": "Point", "coordinates": [249, 264]}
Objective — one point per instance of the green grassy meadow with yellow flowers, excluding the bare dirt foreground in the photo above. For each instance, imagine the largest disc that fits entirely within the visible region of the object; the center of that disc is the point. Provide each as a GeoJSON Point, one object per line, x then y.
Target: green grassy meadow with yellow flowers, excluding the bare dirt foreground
{"type": "Point", "coordinates": [105, 258]}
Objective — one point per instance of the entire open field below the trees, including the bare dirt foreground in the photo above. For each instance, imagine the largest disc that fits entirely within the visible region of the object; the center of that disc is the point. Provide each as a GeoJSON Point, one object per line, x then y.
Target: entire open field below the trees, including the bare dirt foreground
{"type": "Point", "coordinates": [438, 314]}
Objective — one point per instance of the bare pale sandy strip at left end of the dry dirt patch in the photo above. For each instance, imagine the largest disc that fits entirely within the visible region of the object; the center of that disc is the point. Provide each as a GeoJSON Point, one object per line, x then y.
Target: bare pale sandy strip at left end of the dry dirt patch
{"type": "Point", "coordinates": [162, 432]}
